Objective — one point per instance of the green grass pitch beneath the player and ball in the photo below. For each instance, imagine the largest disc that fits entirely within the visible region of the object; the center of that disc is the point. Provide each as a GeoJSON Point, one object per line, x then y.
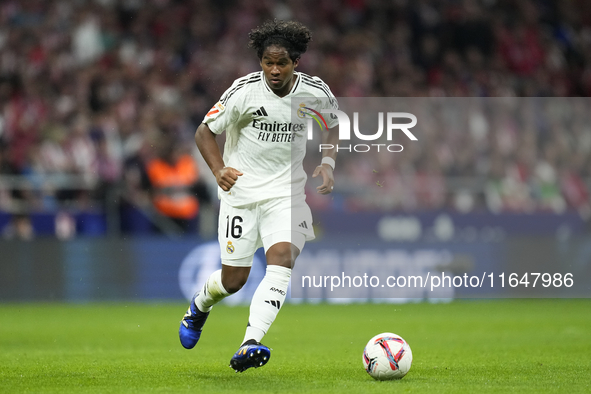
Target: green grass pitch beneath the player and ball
{"type": "Point", "coordinates": [515, 346]}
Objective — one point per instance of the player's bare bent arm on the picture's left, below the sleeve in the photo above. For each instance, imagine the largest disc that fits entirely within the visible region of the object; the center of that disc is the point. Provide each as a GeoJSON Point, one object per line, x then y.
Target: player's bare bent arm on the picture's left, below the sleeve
{"type": "Point", "coordinates": [225, 176]}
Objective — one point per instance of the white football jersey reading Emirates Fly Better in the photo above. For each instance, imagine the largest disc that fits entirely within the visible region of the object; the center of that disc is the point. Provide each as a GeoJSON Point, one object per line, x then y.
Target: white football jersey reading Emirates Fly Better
{"type": "Point", "coordinates": [265, 140]}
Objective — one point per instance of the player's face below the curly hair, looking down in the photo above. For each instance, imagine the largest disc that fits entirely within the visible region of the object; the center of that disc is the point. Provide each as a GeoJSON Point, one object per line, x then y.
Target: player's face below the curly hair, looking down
{"type": "Point", "coordinates": [278, 69]}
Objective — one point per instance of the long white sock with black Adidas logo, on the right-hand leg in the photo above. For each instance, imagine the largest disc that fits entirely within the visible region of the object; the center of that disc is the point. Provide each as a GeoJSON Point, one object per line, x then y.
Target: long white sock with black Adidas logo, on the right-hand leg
{"type": "Point", "coordinates": [267, 301]}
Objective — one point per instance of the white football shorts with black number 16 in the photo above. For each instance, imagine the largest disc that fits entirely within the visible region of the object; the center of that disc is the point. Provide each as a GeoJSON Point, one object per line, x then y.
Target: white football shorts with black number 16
{"type": "Point", "coordinates": [244, 229]}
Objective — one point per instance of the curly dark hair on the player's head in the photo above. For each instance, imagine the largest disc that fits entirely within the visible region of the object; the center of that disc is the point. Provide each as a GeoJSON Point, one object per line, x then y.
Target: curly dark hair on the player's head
{"type": "Point", "coordinates": [291, 35]}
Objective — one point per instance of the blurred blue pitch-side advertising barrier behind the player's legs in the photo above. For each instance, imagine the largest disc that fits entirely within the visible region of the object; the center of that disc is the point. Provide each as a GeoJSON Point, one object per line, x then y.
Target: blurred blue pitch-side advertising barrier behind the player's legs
{"type": "Point", "coordinates": [343, 269]}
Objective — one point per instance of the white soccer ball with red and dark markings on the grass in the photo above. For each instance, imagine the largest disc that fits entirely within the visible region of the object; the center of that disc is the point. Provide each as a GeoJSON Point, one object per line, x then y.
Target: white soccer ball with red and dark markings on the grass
{"type": "Point", "coordinates": [387, 356]}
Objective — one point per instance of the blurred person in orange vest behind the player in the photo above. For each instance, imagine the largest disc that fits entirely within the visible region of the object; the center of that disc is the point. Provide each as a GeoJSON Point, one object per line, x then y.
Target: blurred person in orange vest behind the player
{"type": "Point", "coordinates": [173, 176]}
